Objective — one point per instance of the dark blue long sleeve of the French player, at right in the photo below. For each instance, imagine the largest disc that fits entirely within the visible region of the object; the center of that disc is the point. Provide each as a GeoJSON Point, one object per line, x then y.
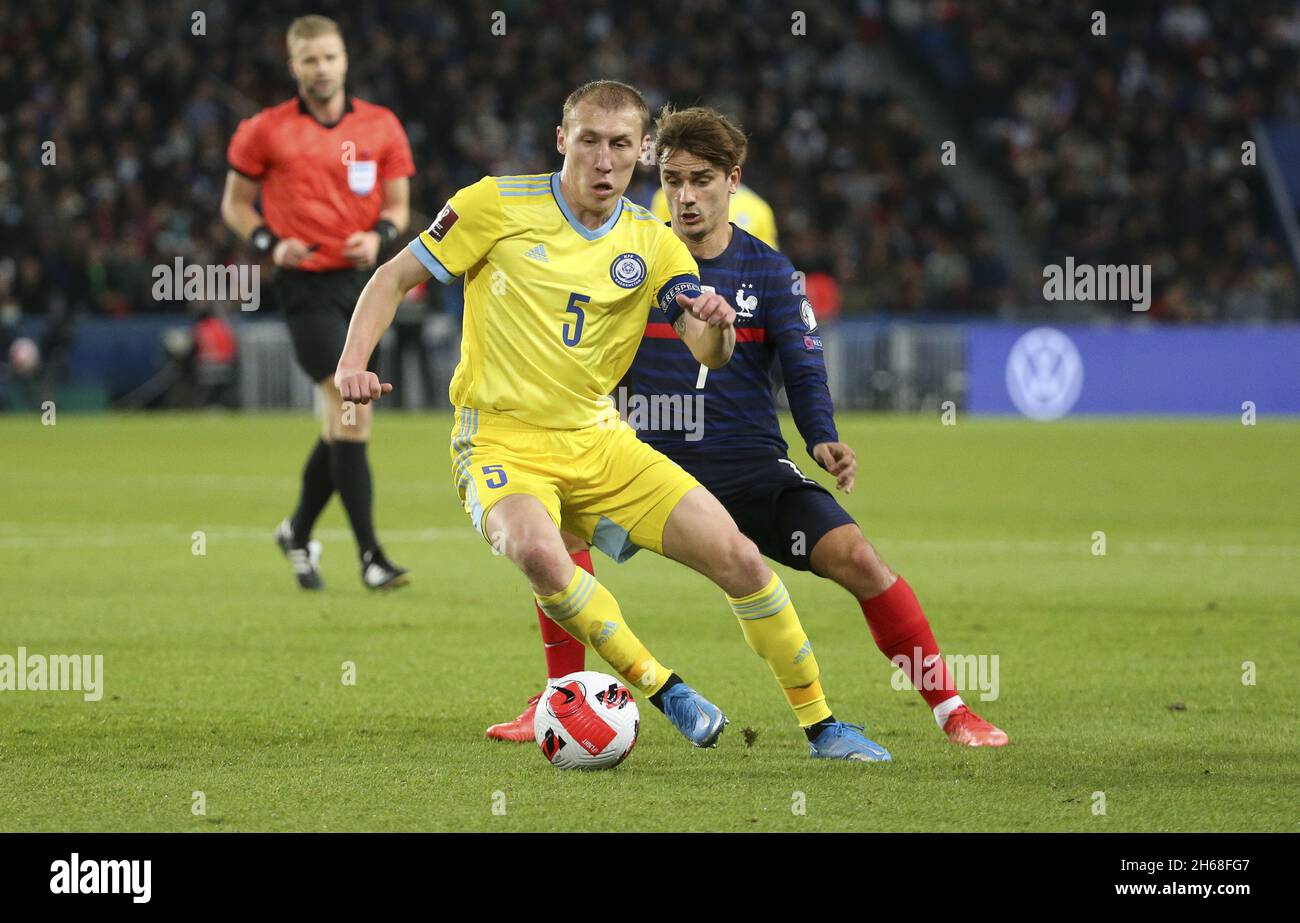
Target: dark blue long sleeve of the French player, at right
{"type": "Point", "coordinates": [794, 333]}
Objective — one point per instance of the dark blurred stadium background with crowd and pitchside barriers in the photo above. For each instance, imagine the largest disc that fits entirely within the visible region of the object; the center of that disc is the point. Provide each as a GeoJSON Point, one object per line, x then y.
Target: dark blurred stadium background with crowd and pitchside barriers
{"type": "Point", "coordinates": [1124, 149]}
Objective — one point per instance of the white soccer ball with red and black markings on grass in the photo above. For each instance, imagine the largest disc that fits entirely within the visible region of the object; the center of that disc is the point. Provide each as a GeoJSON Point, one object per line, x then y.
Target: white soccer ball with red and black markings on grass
{"type": "Point", "coordinates": [587, 721]}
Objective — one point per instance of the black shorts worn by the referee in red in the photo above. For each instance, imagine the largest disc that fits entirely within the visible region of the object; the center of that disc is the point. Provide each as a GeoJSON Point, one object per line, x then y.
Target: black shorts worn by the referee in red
{"type": "Point", "coordinates": [318, 309]}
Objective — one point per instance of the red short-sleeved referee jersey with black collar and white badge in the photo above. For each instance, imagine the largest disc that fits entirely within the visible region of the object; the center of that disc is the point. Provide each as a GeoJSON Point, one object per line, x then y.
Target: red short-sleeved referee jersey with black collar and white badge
{"type": "Point", "coordinates": [322, 183]}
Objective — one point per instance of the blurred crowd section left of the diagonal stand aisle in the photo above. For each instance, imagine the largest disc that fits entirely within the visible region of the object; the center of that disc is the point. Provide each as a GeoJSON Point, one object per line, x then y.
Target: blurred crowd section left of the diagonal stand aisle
{"type": "Point", "coordinates": [140, 111]}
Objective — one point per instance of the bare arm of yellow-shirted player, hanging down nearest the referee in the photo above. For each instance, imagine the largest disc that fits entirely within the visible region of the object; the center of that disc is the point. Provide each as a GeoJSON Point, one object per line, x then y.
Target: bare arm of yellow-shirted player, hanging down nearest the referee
{"type": "Point", "coordinates": [372, 317]}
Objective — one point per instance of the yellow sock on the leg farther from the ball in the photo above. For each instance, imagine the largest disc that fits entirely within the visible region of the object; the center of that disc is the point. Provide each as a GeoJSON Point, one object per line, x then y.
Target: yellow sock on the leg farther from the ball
{"type": "Point", "coordinates": [774, 632]}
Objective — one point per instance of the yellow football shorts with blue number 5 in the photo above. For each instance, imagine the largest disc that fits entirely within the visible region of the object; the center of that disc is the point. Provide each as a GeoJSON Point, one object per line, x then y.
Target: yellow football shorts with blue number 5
{"type": "Point", "coordinates": [601, 483]}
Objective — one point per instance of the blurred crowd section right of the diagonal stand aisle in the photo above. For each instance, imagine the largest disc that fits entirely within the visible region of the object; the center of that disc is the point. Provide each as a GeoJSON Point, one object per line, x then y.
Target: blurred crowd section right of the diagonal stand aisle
{"type": "Point", "coordinates": [1126, 148]}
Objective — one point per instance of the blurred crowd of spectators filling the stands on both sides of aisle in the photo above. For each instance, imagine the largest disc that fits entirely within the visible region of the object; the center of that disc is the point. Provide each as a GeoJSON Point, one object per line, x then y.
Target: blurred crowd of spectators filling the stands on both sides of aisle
{"type": "Point", "coordinates": [140, 110]}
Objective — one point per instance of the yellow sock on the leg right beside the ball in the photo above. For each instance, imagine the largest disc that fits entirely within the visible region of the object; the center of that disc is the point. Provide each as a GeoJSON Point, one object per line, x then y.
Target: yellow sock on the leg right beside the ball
{"type": "Point", "coordinates": [591, 614]}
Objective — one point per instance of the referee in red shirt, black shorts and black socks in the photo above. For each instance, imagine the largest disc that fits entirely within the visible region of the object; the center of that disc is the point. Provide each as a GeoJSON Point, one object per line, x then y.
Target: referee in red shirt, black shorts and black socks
{"type": "Point", "coordinates": [335, 180]}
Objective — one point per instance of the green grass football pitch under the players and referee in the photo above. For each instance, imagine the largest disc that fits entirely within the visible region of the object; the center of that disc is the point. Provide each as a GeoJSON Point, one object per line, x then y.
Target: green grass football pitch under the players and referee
{"type": "Point", "coordinates": [1120, 674]}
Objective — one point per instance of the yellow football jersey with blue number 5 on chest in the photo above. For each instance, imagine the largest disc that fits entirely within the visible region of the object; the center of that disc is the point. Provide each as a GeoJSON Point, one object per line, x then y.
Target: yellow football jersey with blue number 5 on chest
{"type": "Point", "coordinates": [554, 311]}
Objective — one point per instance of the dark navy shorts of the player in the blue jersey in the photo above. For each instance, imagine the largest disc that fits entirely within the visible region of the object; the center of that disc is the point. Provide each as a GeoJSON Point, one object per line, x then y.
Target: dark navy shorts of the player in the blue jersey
{"type": "Point", "coordinates": [781, 510]}
